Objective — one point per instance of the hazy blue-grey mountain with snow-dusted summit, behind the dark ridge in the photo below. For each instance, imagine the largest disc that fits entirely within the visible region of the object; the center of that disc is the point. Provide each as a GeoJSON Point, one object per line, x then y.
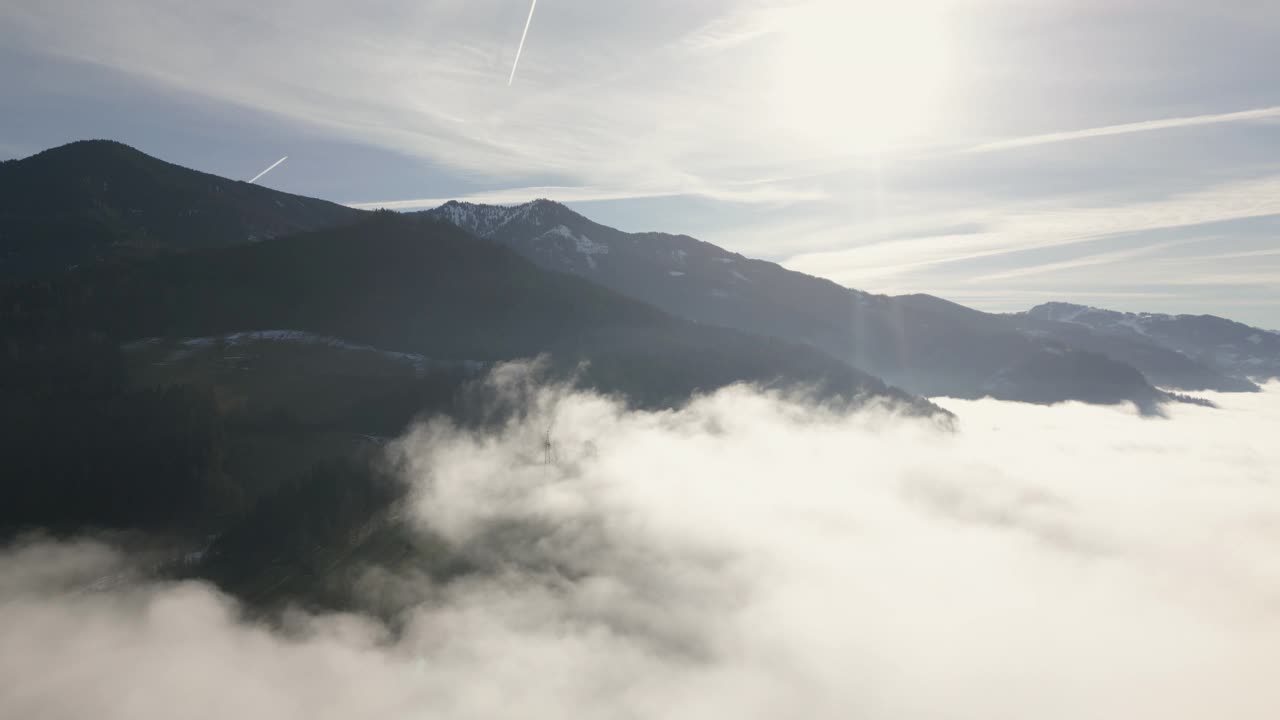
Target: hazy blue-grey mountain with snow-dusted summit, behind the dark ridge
{"type": "Point", "coordinates": [918, 343]}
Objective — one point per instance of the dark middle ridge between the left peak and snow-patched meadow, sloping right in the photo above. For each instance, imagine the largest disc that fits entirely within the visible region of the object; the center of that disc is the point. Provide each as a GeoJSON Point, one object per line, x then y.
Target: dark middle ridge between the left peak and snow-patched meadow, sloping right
{"type": "Point", "coordinates": [420, 288]}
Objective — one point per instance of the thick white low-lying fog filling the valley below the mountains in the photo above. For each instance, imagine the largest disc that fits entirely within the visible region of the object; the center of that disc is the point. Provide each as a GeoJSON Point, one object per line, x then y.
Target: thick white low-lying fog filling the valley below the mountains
{"type": "Point", "coordinates": [748, 557]}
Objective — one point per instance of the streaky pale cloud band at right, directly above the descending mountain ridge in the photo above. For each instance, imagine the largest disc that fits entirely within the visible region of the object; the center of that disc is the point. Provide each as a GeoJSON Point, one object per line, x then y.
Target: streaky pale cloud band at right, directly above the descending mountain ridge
{"type": "Point", "coordinates": [1105, 249]}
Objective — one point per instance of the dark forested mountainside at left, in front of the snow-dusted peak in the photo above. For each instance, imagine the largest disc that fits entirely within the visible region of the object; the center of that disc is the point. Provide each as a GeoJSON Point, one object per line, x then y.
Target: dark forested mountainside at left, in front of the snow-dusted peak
{"type": "Point", "coordinates": [205, 368]}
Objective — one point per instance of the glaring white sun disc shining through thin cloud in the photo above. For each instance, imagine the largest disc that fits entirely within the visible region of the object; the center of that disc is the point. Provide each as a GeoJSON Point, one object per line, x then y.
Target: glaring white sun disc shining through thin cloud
{"type": "Point", "coordinates": [856, 76]}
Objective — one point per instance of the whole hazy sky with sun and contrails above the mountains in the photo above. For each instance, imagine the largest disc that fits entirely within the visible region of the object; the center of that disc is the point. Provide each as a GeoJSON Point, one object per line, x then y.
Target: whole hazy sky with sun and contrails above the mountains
{"type": "Point", "coordinates": [998, 153]}
